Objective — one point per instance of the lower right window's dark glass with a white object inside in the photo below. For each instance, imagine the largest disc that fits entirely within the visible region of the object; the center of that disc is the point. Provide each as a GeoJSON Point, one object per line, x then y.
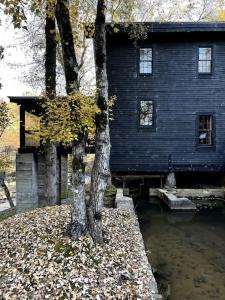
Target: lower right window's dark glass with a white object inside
{"type": "Point", "coordinates": [205, 130]}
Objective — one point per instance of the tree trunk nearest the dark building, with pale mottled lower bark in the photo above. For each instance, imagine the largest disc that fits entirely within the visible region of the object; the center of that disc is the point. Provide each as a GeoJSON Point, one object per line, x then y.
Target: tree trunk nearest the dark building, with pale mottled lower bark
{"type": "Point", "coordinates": [101, 172]}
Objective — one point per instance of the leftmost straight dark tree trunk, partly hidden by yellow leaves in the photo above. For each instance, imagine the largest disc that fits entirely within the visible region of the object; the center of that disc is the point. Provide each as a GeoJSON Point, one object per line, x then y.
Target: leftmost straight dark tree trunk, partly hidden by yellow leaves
{"type": "Point", "coordinates": [50, 149]}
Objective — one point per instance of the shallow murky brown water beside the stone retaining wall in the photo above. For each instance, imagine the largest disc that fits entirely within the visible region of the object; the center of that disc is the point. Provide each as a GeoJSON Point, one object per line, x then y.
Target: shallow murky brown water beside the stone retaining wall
{"type": "Point", "coordinates": [186, 250]}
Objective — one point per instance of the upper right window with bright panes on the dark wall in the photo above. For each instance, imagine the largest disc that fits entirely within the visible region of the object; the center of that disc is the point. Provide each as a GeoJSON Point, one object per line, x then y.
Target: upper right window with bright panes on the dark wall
{"type": "Point", "coordinates": [204, 60]}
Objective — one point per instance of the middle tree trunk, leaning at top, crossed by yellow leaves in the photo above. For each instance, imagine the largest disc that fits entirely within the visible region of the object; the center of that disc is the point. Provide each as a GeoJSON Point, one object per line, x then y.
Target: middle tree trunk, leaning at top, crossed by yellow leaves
{"type": "Point", "coordinates": [78, 216]}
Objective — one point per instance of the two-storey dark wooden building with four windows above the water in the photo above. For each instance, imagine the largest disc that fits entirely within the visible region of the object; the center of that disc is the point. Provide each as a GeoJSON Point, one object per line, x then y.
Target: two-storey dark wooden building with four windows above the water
{"type": "Point", "coordinates": [170, 109]}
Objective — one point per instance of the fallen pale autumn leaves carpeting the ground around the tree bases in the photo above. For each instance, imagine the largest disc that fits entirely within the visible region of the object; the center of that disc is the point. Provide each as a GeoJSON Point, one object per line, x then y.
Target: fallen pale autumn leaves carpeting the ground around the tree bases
{"type": "Point", "coordinates": [39, 261]}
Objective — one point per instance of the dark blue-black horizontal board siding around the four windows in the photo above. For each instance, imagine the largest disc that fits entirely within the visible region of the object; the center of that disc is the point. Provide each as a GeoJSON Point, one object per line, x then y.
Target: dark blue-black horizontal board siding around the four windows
{"type": "Point", "coordinates": [179, 93]}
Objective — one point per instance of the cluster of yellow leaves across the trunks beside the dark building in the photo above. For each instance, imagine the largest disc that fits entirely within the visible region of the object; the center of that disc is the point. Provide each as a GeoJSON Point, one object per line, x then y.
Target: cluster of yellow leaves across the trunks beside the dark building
{"type": "Point", "coordinates": [65, 118]}
